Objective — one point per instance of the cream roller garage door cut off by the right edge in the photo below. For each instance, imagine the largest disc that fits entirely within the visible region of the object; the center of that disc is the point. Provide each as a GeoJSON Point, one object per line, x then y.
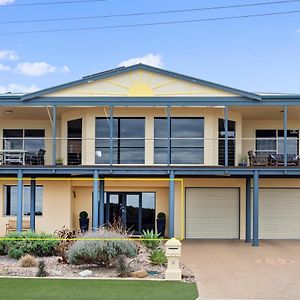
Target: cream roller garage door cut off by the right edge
{"type": "Point", "coordinates": [279, 214]}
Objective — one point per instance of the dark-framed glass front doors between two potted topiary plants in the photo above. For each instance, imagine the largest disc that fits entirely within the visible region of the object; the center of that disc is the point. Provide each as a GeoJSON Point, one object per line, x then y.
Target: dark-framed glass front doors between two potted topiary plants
{"type": "Point", "coordinates": [134, 210]}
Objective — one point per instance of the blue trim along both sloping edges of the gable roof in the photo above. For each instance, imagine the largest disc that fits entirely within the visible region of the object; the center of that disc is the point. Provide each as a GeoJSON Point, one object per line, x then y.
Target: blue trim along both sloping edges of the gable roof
{"type": "Point", "coordinates": [122, 70]}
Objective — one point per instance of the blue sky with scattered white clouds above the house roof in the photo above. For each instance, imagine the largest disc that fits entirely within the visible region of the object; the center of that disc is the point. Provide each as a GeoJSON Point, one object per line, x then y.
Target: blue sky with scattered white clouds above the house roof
{"type": "Point", "coordinates": [255, 54]}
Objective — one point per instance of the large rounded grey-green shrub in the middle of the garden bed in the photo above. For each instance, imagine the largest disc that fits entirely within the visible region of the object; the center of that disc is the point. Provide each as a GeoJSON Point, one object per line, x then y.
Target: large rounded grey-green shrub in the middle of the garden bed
{"type": "Point", "coordinates": [101, 247]}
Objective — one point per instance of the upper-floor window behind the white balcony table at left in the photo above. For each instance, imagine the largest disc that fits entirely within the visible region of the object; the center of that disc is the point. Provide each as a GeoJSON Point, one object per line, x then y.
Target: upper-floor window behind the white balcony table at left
{"type": "Point", "coordinates": [30, 140]}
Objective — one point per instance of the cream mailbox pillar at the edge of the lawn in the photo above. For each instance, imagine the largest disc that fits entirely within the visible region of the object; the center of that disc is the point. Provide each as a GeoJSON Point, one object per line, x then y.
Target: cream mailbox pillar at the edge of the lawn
{"type": "Point", "coordinates": [173, 252]}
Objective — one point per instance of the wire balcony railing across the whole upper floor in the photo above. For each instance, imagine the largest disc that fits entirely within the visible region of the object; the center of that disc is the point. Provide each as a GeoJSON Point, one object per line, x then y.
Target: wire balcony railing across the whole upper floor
{"type": "Point", "coordinates": [150, 151]}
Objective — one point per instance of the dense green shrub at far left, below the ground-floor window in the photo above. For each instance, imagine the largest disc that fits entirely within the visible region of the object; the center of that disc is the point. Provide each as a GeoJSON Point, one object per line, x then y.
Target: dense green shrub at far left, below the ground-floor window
{"type": "Point", "coordinates": [29, 242]}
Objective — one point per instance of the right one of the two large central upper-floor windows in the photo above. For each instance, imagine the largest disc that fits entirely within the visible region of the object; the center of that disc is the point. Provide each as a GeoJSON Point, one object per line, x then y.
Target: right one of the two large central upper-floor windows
{"type": "Point", "coordinates": [186, 141]}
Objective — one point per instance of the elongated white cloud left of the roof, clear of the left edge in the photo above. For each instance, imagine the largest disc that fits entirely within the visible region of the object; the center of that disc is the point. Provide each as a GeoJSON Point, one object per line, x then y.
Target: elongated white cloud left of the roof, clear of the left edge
{"type": "Point", "coordinates": [39, 68]}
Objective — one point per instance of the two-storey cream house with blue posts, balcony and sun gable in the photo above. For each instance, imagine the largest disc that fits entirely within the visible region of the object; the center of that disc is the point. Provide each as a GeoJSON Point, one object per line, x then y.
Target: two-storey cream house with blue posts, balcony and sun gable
{"type": "Point", "coordinates": [134, 141]}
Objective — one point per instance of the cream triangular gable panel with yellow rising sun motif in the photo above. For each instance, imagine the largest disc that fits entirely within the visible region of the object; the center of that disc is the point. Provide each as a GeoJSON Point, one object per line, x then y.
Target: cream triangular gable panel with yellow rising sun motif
{"type": "Point", "coordinates": [140, 83]}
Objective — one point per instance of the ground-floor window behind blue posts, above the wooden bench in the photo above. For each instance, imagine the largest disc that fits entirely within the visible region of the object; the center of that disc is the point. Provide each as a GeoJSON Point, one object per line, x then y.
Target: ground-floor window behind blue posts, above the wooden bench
{"type": "Point", "coordinates": [11, 200]}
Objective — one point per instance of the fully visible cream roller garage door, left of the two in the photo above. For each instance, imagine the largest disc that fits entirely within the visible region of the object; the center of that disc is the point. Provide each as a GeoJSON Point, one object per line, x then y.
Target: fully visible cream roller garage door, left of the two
{"type": "Point", "coordinates": [212, 213]}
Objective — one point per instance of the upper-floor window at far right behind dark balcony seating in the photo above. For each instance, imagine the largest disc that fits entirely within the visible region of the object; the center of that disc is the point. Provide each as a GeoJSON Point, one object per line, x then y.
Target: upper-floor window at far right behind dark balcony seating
{"type": "Point", "coordinates": [271, 141]}
